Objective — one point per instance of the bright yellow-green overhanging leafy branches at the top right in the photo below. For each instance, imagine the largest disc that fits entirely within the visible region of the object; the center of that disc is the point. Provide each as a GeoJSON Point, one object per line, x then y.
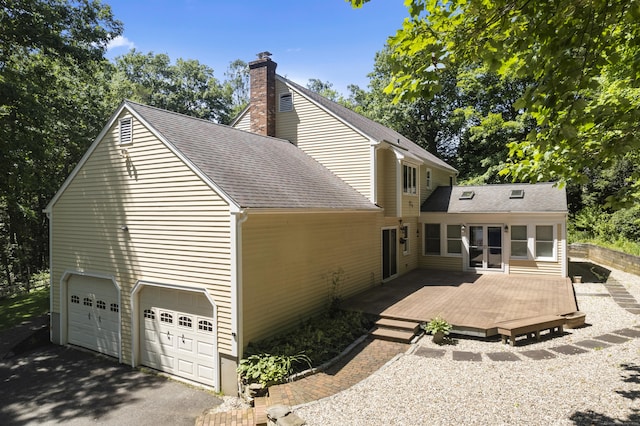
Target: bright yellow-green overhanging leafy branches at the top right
{"type": "Point", "coordinates": [582, 59]}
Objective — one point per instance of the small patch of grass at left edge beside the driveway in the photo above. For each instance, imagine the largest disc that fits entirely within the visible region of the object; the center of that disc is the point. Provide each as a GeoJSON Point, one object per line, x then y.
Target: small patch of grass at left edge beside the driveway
{"type": "Point", "coordinates": [18, 308]}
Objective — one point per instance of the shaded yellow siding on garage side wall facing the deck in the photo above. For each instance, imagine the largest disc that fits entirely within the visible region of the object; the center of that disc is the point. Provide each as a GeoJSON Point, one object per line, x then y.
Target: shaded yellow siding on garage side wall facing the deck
{"type": "Point", "coordinates": [288, 261]}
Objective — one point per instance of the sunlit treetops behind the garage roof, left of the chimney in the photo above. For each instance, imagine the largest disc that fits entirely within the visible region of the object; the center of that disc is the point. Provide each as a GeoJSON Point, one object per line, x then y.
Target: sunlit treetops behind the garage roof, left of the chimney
{"type": "Point", "coordinates": [187, 87]}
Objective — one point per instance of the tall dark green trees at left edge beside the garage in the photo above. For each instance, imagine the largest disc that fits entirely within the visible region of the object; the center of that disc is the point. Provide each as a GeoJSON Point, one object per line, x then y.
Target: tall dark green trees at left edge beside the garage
{"type": "Point", "coordinates": [51, 104]}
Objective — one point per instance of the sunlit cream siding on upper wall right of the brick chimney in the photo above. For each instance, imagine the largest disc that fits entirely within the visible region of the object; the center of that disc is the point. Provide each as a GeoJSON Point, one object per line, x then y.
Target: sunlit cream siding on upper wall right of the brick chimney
{"type": "Point", "coordinates": [326, 139]}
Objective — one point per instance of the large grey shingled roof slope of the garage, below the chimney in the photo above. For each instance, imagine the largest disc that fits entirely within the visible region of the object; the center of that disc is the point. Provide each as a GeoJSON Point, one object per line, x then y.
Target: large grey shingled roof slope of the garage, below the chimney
{"type": "Point", "coordinates": [254, 171]}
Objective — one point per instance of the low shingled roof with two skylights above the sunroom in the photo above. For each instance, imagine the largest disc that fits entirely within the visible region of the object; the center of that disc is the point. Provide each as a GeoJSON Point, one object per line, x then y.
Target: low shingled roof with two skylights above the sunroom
{"type": "Point", "coordinates": [530, 198]}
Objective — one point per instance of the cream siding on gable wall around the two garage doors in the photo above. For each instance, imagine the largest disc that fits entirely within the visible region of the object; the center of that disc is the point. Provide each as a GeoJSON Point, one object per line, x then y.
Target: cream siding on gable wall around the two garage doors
{"type": "Point", "coordinates": [178, 227]}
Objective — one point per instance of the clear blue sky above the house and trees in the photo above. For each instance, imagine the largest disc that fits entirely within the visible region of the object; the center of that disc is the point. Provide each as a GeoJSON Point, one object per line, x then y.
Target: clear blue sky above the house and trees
{"type": "Point", "coordinates": [324, 39]}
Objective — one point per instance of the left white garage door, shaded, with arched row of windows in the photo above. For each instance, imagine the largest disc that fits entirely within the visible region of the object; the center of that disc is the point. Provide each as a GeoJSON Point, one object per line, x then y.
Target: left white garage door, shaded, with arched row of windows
{"type": "Point", "coordinates": [93, 314]}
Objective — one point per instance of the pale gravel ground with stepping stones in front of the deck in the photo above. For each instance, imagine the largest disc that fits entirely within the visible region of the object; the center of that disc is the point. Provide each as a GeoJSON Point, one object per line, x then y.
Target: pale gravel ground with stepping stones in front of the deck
{"type": "Point", "coordinates": [600, 386]}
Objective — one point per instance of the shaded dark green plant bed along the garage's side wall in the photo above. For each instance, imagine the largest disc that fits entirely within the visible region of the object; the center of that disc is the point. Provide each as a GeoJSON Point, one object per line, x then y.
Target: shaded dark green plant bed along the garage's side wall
{"type": "Point", "coordinates": [320, 338]}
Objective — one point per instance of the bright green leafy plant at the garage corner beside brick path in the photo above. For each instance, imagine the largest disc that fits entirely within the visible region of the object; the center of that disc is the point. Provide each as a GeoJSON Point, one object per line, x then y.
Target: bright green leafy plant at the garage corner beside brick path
{"type": "Point", "coordinates": [269, 369]}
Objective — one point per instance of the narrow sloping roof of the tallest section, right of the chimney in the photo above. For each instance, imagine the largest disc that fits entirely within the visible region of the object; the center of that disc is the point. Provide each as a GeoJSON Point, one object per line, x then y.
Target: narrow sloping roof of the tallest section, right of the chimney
{"type": "Point", "coordinates": [368, 127]}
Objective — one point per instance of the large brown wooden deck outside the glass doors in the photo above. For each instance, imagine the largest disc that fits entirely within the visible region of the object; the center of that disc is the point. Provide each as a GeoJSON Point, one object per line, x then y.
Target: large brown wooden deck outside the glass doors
{"type": "Point", "coordinates": [472, 303]}
